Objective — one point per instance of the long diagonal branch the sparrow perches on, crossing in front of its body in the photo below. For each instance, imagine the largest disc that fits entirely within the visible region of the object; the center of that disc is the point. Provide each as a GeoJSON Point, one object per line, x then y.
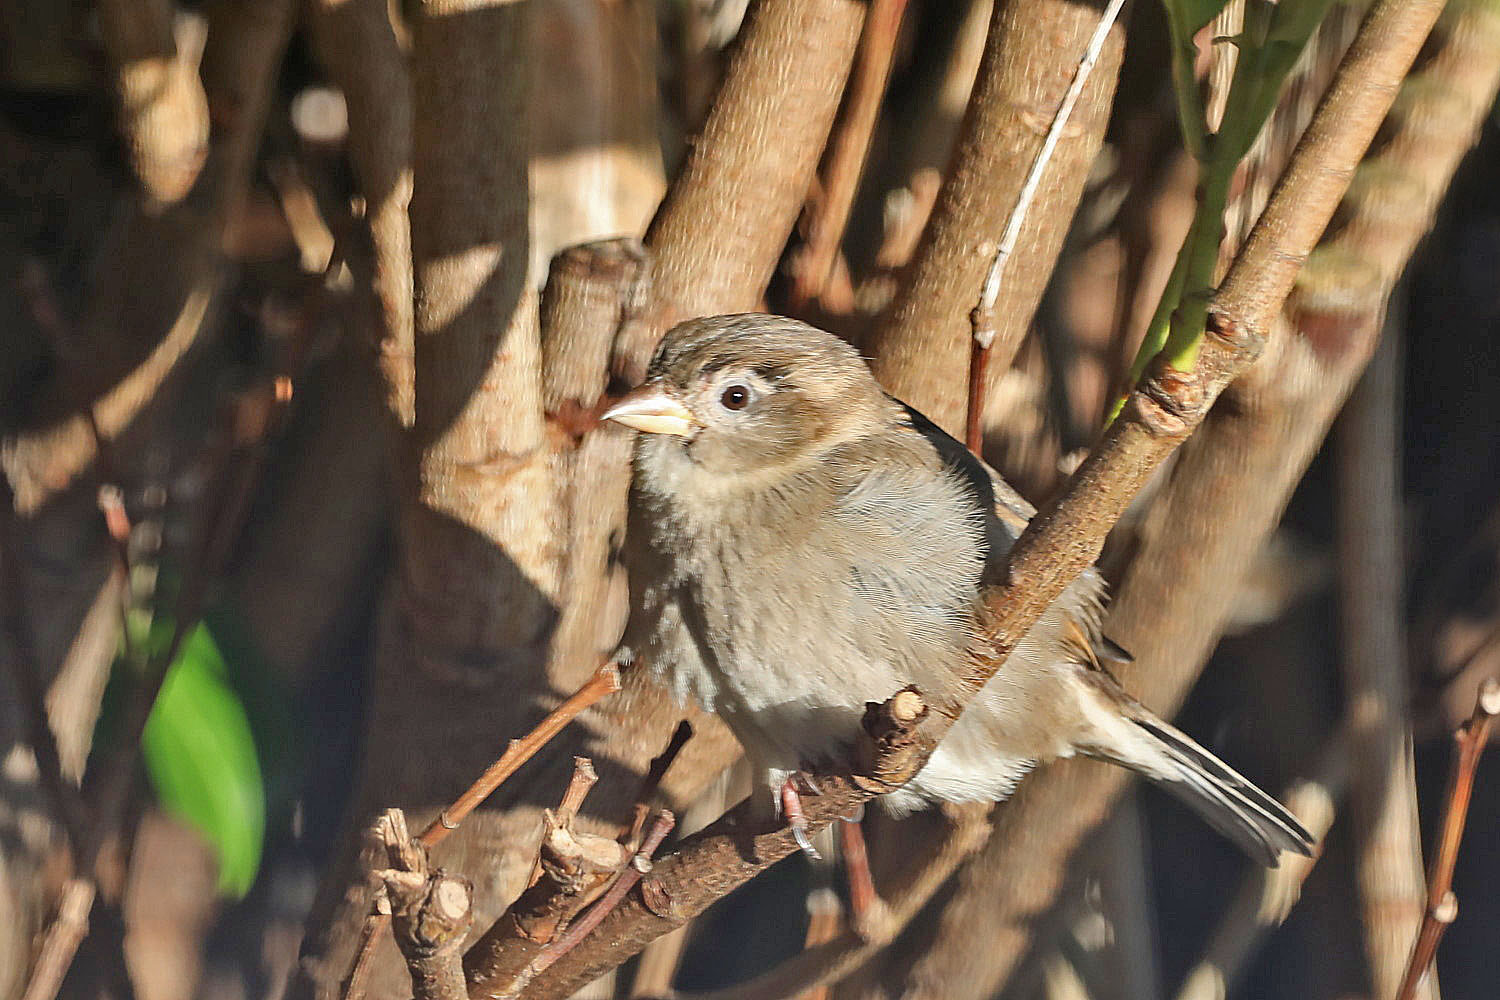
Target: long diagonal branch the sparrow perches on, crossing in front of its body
{"type": "Point", "coordinates": [1063, 540]}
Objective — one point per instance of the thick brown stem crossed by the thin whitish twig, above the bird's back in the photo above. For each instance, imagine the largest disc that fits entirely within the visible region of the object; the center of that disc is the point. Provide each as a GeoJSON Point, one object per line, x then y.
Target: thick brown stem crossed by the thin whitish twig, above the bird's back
{"type": "Point", "coordinates": [920, 347]}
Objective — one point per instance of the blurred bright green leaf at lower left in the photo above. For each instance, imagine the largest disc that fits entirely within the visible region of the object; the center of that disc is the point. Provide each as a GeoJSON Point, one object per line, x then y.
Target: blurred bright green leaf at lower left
{"type": "Point", "coordinates": [202, 759]}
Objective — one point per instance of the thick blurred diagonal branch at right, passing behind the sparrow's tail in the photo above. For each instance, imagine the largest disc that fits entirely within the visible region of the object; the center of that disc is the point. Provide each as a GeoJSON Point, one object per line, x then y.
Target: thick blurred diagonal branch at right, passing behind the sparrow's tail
{"type": "Point", "coordinates": [1226, 494]}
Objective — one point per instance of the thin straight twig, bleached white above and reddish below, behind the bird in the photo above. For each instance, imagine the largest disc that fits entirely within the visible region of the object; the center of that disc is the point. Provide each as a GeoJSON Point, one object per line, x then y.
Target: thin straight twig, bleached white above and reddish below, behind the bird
{"type": "Point", "coordinates": [983, 316]}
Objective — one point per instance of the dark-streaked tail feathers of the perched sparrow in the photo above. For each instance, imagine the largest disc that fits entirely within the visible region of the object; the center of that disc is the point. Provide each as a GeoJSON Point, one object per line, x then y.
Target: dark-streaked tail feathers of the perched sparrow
{"type": "Point", "coordinates": [1133, 737]}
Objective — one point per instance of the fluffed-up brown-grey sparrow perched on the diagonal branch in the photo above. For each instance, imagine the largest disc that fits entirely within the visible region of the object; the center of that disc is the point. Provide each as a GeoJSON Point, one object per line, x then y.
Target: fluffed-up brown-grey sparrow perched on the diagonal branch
{"type": "Point", "coordinates": [800, 543]}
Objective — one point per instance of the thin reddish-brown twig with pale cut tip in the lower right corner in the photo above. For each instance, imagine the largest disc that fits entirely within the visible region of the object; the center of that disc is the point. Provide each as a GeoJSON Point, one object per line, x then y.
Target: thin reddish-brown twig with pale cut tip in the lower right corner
{"type": "Point", "coordinates": [1442, 905]}
